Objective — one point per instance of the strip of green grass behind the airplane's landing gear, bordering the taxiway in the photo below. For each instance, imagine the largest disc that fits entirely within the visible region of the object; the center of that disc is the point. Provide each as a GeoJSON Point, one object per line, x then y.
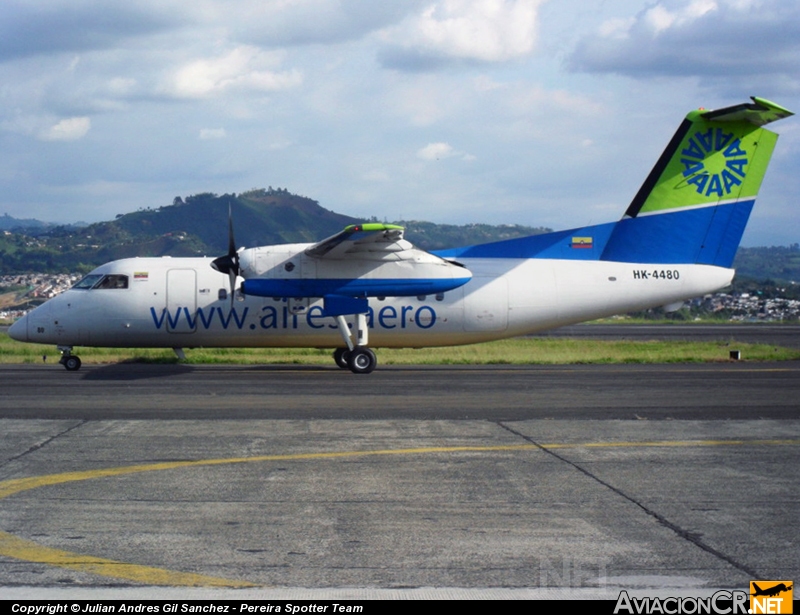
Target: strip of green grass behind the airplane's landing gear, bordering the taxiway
{"type": "Point", "coordinates": [520, 351]}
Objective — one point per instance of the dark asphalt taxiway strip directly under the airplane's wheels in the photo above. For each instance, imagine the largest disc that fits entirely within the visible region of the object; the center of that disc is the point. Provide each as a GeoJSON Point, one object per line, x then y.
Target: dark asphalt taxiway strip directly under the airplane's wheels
{"type": "Point", "coordinates": [497, 393]}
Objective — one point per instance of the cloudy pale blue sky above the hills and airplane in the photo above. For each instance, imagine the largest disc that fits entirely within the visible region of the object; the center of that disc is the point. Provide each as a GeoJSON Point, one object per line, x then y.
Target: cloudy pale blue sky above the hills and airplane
{"type": "Point", "coordinates": [536, 112]}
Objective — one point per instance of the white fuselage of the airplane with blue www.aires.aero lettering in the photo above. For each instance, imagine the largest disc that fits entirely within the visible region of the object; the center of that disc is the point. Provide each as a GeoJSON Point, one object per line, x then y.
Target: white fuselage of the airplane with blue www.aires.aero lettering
{"type": "Point", "coordinates": [183, 302]}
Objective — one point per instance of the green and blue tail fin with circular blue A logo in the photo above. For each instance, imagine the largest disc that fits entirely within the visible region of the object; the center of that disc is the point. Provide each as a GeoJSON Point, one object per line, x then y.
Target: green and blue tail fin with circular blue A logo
{"type": "Point", "coordinates": [694, 205]}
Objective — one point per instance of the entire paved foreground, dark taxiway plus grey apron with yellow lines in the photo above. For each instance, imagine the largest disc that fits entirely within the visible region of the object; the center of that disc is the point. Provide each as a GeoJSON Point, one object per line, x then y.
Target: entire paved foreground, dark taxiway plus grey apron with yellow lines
{"type": "Point", "coordinates": [515, 482]}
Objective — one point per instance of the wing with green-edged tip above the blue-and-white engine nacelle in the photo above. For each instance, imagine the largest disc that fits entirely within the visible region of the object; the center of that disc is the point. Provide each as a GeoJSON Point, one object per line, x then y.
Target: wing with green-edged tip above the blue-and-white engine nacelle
{"type": "Point", "coordinates": [359, 240]}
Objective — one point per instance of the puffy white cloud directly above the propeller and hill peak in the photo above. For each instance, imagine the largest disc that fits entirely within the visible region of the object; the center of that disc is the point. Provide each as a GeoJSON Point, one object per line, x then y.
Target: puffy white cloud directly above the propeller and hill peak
{"type": "Point", "coordinates": [244, 68]}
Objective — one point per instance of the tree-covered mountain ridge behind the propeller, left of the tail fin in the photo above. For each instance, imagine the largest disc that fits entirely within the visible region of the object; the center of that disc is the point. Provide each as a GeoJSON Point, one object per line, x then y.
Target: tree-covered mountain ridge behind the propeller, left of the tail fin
{"type": "Point", "coordinates": [197, 225]}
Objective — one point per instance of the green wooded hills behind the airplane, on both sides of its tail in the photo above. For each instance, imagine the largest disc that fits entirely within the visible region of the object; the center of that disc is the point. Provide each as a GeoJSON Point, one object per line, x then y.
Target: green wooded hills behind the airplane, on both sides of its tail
{"type": "Point", "coordinates": [197, 225]}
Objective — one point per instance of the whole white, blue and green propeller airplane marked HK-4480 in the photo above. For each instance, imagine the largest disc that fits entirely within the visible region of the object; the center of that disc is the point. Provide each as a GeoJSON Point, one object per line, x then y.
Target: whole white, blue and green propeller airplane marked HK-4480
{"type": "Point", "coordinates": [368, 286]}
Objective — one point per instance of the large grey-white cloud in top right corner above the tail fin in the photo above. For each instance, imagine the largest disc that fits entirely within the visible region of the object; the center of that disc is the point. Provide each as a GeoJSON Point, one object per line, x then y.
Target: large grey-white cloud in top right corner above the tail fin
{"type": "Point", "coordinates": [738, 43]}
